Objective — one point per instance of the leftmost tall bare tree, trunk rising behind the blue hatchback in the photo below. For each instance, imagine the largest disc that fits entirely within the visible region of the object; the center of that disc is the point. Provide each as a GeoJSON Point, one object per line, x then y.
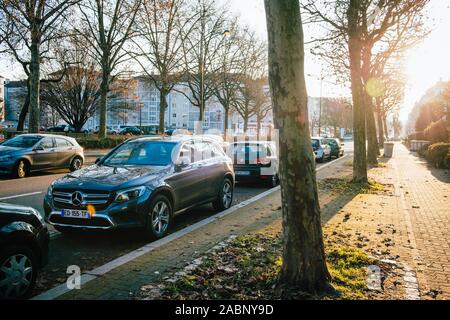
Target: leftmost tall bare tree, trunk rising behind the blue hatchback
{"type": "Point", "coordinates": [28, 29]}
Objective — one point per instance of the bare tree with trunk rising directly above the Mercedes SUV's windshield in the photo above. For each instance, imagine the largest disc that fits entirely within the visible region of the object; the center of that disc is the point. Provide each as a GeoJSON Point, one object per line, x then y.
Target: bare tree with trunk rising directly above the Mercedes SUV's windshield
{"type": "Point", "coordinates": [163, 27]}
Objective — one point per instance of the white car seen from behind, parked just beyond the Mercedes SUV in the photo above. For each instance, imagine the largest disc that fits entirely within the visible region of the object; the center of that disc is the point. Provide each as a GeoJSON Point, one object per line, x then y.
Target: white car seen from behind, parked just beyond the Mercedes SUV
{"type": "Point", "coordinates": [255, 161]}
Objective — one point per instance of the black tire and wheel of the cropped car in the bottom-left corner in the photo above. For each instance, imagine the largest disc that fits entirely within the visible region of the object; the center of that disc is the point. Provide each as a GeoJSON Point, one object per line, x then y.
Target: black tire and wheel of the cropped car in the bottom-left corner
{"type": "Point", "coordinates": [23, 275]}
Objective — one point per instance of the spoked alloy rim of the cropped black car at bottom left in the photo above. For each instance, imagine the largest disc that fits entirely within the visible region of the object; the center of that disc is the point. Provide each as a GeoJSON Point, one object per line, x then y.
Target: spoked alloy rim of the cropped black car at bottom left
{"type": "Point", "coordinates": [16, 274]}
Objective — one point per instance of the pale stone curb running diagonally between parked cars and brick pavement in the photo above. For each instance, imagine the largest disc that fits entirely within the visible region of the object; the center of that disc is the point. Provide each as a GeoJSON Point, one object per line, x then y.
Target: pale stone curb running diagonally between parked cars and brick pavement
{"type": "Point", "coordinates": [100, 271]}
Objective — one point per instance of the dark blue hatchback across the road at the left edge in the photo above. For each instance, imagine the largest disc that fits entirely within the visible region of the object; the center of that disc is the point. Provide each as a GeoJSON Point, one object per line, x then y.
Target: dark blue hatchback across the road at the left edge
{"type": "Point", "coordinates": [36, 152]}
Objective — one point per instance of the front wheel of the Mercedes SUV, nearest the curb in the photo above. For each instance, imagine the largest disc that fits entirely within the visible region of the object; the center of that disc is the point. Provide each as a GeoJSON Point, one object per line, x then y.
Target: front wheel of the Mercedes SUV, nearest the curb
{"type": "Point", "coordinates": [159, 217]}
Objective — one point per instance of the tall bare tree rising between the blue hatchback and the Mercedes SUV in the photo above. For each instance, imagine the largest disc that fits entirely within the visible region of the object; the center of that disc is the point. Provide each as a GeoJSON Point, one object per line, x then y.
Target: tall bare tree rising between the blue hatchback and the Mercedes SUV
{"type": "Point", "coordinates": [108, 25]}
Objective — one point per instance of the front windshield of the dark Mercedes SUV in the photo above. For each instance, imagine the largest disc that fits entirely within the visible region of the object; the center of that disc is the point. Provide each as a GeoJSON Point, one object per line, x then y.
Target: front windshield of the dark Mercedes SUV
{"type": "Point", "coordinates": [142, 153]}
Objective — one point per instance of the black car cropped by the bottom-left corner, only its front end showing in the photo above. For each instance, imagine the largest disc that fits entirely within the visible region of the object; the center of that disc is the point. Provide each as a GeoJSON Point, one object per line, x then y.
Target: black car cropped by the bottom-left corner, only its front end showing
{"type": "Point", "coordinates": [23, 250]}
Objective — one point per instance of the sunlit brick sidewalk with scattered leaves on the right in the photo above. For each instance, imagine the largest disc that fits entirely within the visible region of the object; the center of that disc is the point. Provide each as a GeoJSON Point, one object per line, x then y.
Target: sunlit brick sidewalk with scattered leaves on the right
{"type": "Point", "coordinates": [409, 224]}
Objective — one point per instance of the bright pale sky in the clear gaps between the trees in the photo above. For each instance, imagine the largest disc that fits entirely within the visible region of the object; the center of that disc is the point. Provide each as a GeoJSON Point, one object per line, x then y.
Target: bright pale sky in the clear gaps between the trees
{"type": "Point", "coordinates": [425, 64]}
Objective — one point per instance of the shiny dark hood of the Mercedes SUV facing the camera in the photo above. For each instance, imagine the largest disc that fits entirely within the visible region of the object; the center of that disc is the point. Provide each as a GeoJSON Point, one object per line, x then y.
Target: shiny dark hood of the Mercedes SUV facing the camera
{"type": "Point", "coordinates": [107, 176]}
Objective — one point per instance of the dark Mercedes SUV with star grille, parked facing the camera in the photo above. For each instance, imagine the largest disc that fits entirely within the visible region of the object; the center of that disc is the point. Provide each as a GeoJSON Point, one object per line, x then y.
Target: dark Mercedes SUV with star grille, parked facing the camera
{"type": "Point", "coordinates": [143, 182]}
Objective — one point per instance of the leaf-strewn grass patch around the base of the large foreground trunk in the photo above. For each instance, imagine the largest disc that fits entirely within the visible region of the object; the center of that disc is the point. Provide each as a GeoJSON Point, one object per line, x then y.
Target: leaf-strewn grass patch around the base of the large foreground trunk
{"type": "Point", "coordinates": [248, 268]}
